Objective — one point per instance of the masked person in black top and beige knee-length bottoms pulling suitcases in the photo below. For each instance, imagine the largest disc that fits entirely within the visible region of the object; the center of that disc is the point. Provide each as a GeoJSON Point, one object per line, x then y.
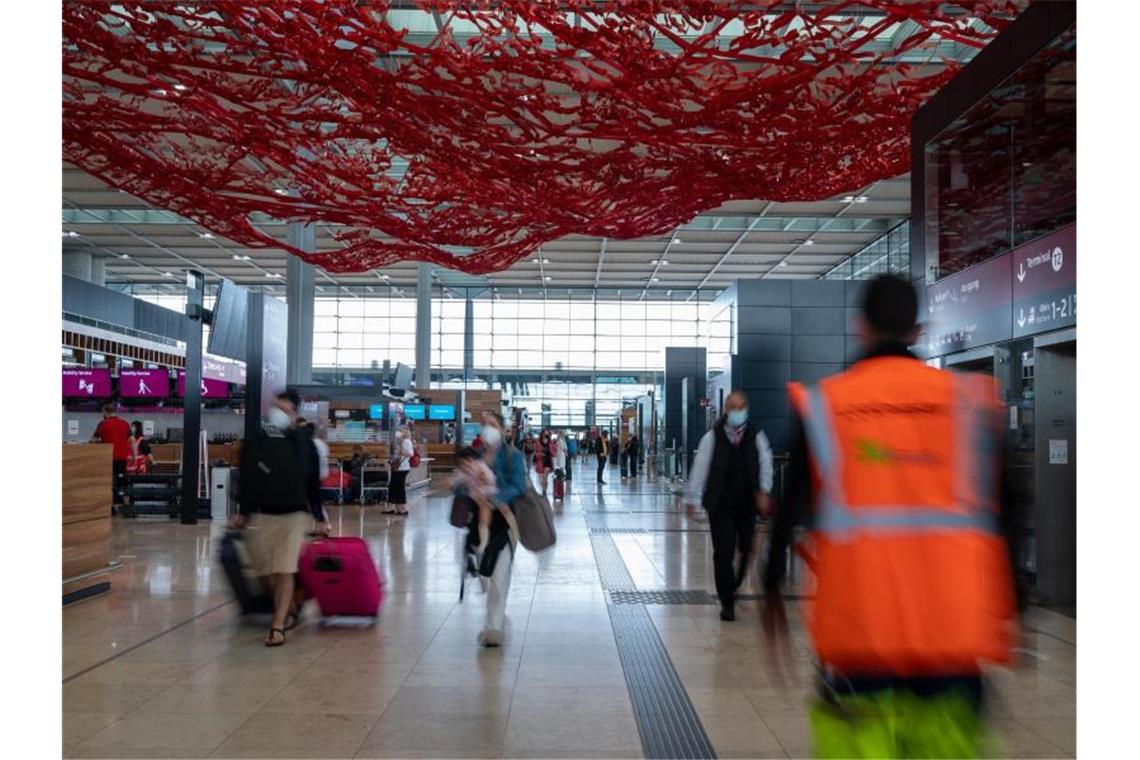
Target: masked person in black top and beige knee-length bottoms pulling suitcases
{"type": "Point", "coordinates": [280, 494]}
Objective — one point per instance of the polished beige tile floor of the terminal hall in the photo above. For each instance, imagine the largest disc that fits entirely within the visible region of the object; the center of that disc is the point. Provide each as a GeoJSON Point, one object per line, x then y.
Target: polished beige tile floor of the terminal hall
{"type": "Point", "coordinates": [165, 668]}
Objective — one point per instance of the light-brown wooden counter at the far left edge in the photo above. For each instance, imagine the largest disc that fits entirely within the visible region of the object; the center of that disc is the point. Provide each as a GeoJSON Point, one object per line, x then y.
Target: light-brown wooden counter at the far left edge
{"type": "Point", "coordinates": [86, 520]}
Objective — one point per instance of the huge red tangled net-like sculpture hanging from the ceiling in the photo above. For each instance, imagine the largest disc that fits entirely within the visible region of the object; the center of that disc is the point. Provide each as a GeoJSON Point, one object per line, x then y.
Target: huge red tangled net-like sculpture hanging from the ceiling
{"type": "Point", "coordinates": [519, 124]}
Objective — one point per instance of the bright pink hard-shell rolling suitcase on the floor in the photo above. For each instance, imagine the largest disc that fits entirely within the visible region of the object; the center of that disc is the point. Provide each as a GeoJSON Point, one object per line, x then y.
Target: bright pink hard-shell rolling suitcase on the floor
{"type": "Point", "coordinates": [339, 573]}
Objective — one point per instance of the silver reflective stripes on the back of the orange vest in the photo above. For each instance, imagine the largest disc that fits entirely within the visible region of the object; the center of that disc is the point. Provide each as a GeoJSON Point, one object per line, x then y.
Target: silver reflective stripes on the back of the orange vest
{"type": "Point", "coordinates": [975, 444]}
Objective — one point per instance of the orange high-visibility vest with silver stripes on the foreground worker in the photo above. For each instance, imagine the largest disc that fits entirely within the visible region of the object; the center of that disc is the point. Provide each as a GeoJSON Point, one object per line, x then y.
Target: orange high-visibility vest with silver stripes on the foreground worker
{"type": "Point", "coordinates": [913, 575]}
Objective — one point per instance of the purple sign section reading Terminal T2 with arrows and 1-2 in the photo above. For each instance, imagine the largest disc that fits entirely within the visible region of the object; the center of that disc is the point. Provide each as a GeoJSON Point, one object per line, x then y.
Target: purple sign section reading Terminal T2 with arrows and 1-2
{"type": "Point", "coordinates": [1045, 283]}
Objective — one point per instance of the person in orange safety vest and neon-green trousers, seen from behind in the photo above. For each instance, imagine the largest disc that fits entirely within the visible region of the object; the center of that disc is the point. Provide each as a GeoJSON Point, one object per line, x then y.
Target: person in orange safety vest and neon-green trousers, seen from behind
{"type": "Point", "coordinates": [913, 543]}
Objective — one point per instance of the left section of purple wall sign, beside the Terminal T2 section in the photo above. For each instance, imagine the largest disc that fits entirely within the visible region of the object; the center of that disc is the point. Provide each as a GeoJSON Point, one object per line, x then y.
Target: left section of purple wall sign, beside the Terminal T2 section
{"type": "Point", "coordinates": [972, 308]}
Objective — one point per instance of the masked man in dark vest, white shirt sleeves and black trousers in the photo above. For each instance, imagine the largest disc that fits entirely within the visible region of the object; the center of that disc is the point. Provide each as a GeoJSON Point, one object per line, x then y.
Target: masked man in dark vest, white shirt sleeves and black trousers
{"type": "Point", "coordinates": [731, 479]}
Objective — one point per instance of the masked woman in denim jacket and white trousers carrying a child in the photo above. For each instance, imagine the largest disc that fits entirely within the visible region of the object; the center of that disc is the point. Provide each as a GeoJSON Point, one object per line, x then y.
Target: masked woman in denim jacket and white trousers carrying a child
{"type": "Point", "coordinates": [510, 472]}
